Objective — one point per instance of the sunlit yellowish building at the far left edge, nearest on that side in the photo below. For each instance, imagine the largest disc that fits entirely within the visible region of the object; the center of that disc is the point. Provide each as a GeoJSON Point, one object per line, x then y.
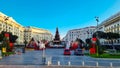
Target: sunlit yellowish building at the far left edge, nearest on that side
{"type": "Point", "coordinates": [8, 24]}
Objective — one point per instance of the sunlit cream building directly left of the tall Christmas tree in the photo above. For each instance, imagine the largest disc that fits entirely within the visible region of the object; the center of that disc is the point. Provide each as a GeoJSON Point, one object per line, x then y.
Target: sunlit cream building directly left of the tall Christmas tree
{"type": "Point", "coordinates": [37, 33]}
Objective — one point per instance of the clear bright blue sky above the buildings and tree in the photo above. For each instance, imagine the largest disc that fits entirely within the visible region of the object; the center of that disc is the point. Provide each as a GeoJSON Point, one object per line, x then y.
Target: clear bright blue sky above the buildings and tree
{"type": "Point", "coordinates": [64, 14]}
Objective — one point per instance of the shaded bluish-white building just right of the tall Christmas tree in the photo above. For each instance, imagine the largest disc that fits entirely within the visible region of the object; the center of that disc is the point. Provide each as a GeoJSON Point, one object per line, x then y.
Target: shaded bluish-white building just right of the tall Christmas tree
{"type": "Point", "coordinates": [82, 33]}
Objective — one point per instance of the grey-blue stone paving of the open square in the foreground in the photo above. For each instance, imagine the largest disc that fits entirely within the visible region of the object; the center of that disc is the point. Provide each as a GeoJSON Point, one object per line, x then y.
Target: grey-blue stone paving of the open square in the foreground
{"type": "Point", "coordinates": [34, 58]}
